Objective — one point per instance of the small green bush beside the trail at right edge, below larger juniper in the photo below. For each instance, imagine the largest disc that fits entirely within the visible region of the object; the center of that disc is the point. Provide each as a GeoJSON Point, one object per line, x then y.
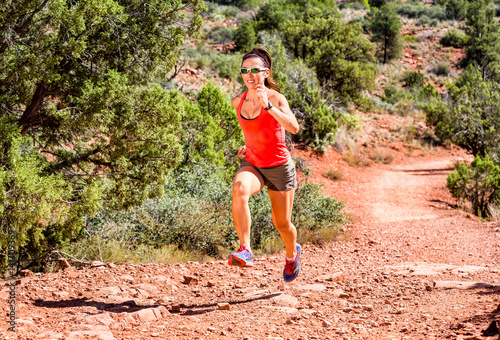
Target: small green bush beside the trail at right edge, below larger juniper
{"type": "Point", "coordinates": [479, 184]}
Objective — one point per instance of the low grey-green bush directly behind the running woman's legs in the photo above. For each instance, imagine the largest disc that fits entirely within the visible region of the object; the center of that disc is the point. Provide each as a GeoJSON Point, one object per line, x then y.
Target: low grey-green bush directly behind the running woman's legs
{"type": "Point", "coordinates": [194, 215]}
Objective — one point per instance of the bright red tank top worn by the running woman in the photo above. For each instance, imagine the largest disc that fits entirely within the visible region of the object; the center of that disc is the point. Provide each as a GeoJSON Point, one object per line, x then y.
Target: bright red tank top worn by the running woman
{"type": "Point", "coordinates": [264, 139]}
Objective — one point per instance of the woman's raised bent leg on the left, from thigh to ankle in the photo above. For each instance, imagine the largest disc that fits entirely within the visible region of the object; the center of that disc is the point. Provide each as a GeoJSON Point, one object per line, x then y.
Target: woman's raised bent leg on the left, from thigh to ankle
{"type": "Point", "coordinates": [247, 182]}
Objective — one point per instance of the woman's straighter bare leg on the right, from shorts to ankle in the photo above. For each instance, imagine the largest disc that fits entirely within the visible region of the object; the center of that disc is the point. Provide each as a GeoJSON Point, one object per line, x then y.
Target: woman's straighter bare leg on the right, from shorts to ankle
{"type": "Point", "coordinates": [282, 203]}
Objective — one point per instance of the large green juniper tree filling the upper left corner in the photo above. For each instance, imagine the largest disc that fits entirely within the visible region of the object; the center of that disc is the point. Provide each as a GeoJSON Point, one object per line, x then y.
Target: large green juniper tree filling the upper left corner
{"type": "Point", "coordinates": [80, 127]}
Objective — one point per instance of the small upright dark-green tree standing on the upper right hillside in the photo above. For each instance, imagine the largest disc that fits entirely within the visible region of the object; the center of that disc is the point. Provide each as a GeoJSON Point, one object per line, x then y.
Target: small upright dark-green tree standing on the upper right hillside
{"type": "Point", "coordinates": [386, 29]}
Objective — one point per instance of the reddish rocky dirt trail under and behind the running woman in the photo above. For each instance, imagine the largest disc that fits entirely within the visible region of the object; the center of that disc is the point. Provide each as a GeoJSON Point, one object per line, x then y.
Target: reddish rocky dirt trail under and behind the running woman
{"type": "Point", "coordinates": [404, 272]}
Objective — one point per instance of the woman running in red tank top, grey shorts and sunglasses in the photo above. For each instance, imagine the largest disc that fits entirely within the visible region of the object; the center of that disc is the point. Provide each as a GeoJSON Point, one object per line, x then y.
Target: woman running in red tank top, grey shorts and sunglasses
{"type": "Point", "coordinates": [264, 115]}
